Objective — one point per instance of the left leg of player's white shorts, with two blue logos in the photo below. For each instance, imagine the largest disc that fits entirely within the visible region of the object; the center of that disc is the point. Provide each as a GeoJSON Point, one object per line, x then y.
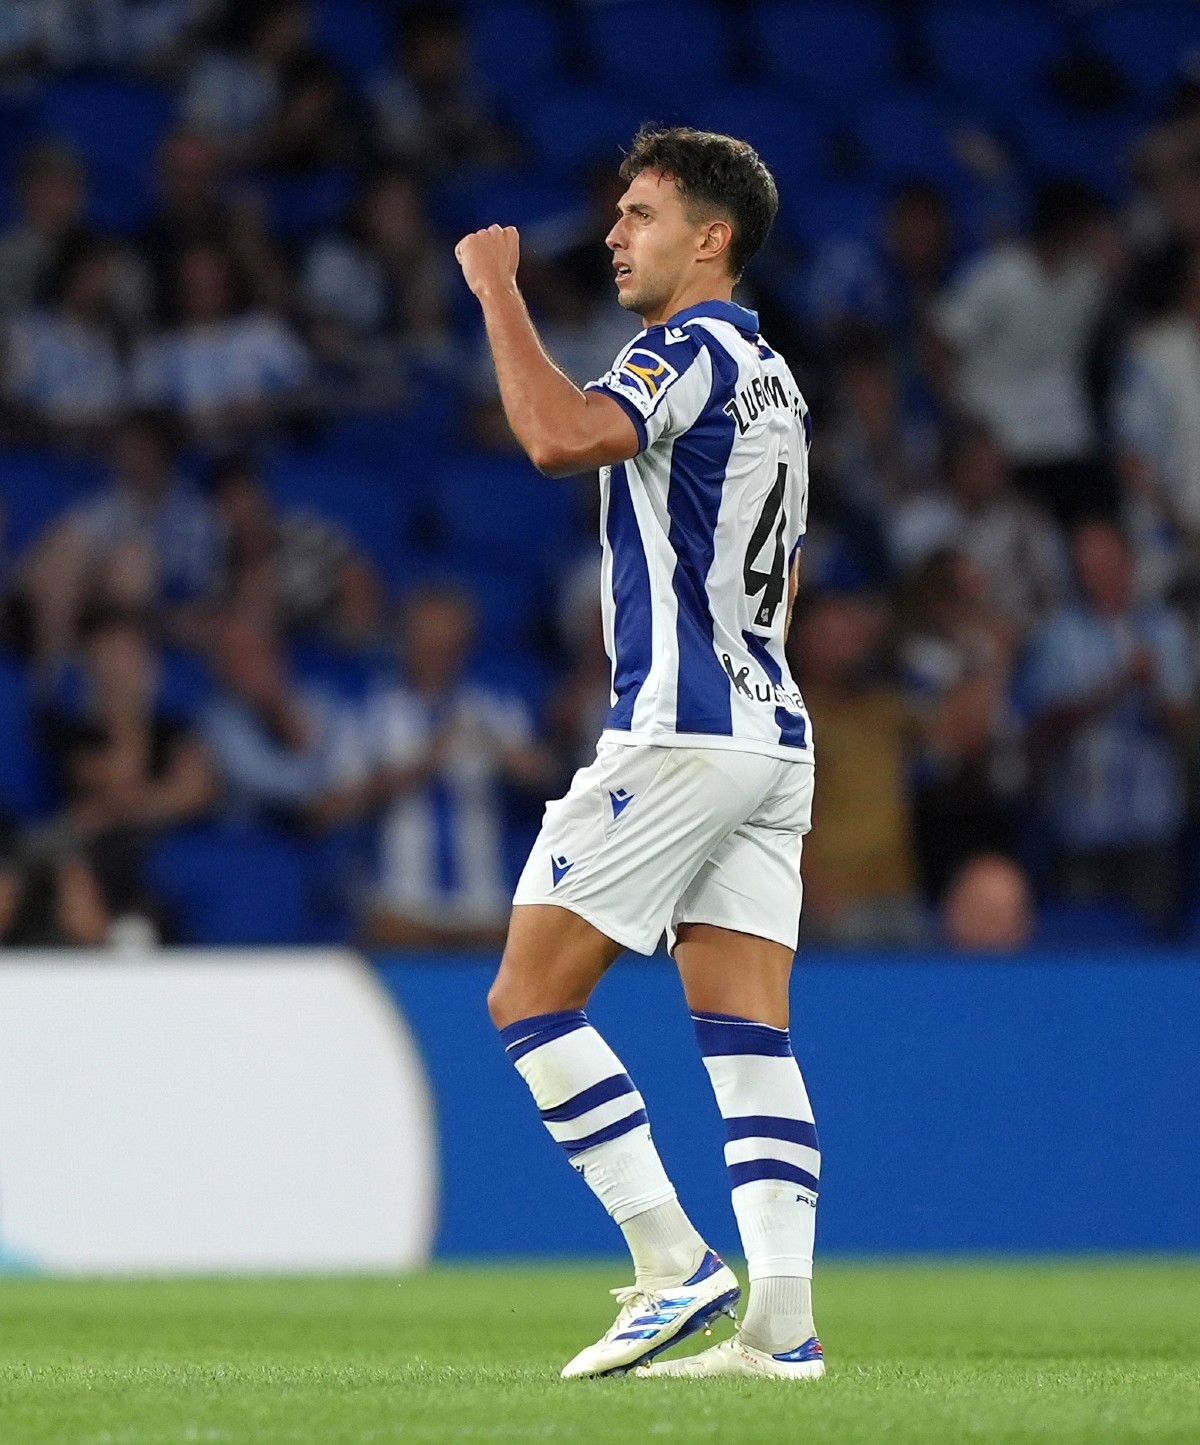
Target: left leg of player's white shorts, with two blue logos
{"type": "Point", "coordinates": [622, 847]}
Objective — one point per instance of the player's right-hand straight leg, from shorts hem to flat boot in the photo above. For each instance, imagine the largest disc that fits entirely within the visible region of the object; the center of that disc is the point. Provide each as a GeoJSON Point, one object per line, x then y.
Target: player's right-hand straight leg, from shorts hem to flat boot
{"type": "Point", "coordinates": [738, 991]}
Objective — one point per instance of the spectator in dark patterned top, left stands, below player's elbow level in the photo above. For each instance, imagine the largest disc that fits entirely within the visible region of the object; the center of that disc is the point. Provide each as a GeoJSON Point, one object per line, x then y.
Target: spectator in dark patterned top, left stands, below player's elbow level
{"type": "Point", "coordinates": [291, 573]}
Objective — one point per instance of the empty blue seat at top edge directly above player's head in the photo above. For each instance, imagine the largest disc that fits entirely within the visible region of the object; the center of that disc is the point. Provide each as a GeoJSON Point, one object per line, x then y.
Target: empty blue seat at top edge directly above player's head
{"type": "Point", "coordinates": [673, 50]}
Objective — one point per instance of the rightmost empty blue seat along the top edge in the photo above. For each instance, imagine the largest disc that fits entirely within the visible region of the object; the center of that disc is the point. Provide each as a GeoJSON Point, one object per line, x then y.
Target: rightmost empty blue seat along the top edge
{"type": "Point", "coordinates": [994, 56]}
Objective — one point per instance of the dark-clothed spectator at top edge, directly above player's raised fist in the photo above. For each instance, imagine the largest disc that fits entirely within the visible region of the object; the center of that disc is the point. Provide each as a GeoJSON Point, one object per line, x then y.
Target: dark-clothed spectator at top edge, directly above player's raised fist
{"type": "Point", "coordinates": [429, 112]}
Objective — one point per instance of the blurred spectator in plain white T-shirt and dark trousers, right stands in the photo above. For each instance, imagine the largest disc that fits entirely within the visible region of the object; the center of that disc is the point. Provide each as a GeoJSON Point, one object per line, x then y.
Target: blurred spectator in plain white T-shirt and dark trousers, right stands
{"type": "Point", "coordinates": [1014, 330]}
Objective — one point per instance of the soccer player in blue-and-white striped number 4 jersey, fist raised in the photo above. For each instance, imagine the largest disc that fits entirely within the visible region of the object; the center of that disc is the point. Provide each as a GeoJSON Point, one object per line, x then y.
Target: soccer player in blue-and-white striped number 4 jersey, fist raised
{"type": "Point", "coordinates": [690, 820]}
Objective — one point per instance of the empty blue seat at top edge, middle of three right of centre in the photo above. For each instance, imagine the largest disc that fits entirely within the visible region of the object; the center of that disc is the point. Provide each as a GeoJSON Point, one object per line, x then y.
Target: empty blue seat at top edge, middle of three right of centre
{"type": "Point", "coordinates": [832, 51]}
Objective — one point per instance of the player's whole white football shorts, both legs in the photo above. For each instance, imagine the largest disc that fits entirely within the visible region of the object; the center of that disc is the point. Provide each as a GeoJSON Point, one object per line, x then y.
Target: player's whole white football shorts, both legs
{"type": "Point", "coordinates": [653, 837]}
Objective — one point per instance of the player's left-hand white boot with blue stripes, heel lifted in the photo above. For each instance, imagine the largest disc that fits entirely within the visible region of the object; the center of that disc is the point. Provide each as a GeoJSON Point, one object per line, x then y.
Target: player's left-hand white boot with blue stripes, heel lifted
{"type": "Point", "coordinates": [654, 1320]}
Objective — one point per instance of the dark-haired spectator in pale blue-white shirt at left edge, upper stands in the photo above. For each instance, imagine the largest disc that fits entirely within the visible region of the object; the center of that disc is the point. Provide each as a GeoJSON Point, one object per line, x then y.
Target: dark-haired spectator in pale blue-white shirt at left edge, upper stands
{"type": "Point", "coordinates": [63, 374]}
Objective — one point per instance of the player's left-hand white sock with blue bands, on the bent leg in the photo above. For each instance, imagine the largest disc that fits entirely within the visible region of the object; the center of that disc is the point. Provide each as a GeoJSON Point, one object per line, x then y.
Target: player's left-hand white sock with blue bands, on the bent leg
{"type": "Point", "coordinates": [595, 1113]}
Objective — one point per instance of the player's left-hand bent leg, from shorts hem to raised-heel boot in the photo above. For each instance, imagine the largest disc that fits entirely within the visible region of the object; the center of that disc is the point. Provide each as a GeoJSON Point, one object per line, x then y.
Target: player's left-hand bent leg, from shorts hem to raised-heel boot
{"type": "Point", "coordinates": [553, 962]}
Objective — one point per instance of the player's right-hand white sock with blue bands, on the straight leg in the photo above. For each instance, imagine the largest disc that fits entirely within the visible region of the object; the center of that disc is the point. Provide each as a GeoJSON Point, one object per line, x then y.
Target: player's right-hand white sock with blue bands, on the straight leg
{"type": "Point", "coordinates": [774, 1170]}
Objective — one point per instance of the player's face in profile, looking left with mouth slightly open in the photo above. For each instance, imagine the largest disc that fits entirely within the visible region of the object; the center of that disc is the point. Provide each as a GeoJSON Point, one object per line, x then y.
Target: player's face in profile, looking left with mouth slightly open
{"type": "Point", "coordinates": [654, 245]}
